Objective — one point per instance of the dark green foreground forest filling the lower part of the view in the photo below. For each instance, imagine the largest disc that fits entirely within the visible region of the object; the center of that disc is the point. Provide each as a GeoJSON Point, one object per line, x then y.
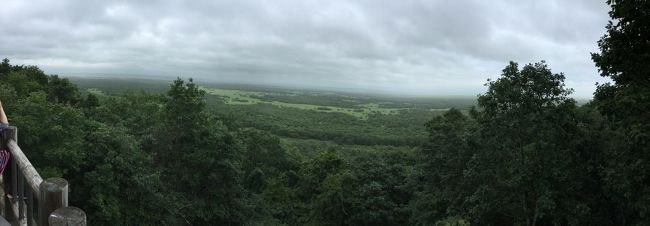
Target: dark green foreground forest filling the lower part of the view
{"type": "Point", "coordinates": [528, 154]}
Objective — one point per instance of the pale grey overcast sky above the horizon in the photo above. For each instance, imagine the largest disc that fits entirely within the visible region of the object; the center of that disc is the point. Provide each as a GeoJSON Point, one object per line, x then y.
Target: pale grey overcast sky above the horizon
{"type": "Point", "coordinates": [411, 47]}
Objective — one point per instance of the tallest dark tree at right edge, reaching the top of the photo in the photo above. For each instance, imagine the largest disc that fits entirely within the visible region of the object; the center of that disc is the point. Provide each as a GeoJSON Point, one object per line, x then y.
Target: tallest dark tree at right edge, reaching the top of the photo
{"type": "Point", "coordinates": [625, 58]}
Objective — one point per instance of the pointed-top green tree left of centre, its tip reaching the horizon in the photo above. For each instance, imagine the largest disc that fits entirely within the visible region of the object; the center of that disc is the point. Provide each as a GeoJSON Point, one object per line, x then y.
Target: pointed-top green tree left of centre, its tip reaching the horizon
{"type": "Point", "coordinates": [199, 158]}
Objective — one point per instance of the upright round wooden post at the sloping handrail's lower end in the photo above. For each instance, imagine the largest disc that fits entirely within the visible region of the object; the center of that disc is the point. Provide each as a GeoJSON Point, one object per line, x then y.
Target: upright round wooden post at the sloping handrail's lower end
{"type": "Point", "coordinates": [53, 195]}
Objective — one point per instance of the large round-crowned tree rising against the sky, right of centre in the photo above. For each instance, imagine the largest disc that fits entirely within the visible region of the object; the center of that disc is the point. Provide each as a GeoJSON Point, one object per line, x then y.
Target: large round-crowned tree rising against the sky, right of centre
{"type": "Point", "coordinates": [526, 117]}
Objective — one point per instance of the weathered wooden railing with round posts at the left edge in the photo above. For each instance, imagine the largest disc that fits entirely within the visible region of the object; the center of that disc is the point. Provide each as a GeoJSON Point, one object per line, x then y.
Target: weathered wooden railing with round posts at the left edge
{"type": "Point", "coordinates": [24, 189]}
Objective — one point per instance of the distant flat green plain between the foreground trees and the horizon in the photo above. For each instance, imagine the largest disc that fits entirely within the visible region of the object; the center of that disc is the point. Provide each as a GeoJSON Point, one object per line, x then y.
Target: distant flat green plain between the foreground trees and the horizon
{"type": "Point", "coordinates": [308, 119]}
